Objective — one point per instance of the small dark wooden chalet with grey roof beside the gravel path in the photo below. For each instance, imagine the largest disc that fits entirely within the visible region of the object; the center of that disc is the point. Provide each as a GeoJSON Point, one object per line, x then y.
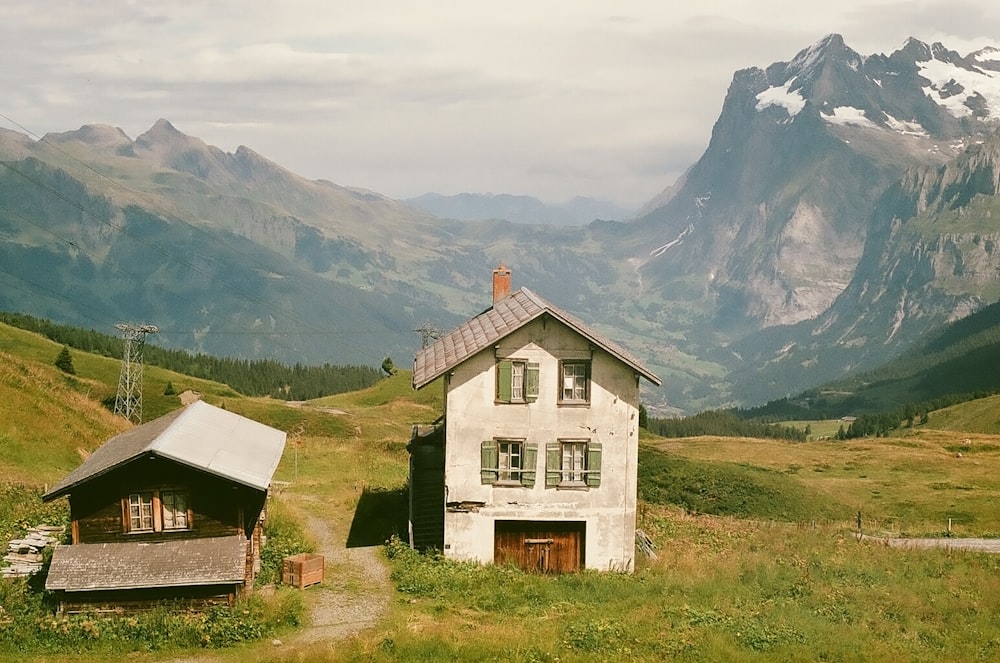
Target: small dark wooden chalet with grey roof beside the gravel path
{"type": "Point", "coordinates": [170, 510]}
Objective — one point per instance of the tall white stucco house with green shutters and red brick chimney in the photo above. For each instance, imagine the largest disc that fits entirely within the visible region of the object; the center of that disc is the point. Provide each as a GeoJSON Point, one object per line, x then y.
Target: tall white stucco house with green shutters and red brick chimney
{"type": "Point", "coordinates": [534, 460]}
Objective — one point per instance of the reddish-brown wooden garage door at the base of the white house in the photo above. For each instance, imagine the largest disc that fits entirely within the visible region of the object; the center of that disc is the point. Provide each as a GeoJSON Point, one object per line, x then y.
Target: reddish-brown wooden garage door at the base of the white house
{"type": "Point", "coordinates": [540, 546]}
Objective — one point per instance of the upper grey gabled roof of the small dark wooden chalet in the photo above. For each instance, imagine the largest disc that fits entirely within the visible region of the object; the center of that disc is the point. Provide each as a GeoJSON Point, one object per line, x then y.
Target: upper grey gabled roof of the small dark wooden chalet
{"type": "Point", "coordinates": [199, 435]}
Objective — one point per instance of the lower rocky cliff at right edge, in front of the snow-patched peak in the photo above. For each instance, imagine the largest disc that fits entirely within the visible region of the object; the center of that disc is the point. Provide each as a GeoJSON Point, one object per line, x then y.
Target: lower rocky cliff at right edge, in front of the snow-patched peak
{"type": "Point", "coordinates": [932, 257]}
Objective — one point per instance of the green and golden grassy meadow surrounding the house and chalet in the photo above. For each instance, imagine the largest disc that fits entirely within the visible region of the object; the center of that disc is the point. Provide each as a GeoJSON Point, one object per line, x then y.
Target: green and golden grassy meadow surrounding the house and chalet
{"type": "Point", "coordinates": [757, 557]}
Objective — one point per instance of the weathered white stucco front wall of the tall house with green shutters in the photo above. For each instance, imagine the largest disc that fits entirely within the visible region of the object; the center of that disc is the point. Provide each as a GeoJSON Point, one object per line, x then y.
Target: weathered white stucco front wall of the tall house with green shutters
{"type": "Point", "coordinates": [610, 418]}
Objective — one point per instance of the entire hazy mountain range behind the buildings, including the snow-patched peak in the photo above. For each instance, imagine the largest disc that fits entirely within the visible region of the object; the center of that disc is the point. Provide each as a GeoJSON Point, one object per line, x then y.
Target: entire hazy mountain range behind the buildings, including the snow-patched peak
{"type": "Point", "coordinates": [844, 207]}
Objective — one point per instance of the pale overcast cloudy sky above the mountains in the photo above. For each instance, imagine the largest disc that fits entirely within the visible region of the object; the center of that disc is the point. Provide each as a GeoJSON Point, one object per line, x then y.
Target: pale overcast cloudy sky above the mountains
{"type": "Point", "coordinates": [611, 99]}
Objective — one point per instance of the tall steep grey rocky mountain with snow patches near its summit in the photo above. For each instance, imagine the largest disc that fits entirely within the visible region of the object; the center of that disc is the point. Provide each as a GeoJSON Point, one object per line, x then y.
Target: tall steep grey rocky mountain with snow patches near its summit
{"type": "Point", "coordinates": [772, 219]}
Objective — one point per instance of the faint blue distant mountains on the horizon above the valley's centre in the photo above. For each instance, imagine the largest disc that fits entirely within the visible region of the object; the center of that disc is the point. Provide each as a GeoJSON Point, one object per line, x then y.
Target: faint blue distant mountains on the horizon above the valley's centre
{"type": "Point", "coordinates": [516, 209]}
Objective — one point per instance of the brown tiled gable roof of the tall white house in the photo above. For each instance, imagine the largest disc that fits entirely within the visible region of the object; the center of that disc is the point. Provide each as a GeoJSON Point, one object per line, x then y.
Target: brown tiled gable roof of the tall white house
{"type": "Point", "coordinates": [503, 318]}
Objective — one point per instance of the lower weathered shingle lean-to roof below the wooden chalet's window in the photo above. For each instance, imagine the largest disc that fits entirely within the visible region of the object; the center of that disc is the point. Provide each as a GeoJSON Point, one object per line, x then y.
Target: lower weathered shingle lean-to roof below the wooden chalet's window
{"type": "Point", "coordinates": [135, 565]}
